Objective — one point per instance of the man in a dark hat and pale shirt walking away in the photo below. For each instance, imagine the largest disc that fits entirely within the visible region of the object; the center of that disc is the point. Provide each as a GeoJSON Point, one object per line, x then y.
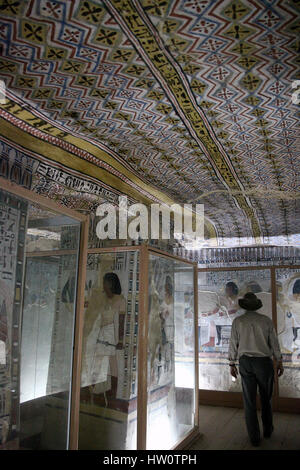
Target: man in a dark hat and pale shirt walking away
{"type": "Point", "coordinates": [254, 341]}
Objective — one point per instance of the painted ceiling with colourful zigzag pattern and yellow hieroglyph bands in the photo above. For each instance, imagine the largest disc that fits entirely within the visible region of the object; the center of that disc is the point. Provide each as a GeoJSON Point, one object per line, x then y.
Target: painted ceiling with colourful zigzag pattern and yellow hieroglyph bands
{"type": "Point", "coordinates": [190, 100]}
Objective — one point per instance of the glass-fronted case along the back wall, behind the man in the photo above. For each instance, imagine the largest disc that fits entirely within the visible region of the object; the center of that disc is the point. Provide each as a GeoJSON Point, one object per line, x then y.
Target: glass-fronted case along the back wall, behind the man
{"type": "Point", "coordinates": [278, 287]}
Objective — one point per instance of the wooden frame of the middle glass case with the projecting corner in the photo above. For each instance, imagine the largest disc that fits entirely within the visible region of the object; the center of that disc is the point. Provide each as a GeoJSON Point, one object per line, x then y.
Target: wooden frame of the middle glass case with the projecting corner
{"type": "Point", "coordinates": [144, 252]}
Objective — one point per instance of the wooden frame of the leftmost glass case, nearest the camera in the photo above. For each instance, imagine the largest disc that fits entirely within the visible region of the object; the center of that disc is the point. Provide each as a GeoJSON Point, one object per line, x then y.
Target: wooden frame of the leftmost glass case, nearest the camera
{"type": "Point", "coordinates": [48, 204]}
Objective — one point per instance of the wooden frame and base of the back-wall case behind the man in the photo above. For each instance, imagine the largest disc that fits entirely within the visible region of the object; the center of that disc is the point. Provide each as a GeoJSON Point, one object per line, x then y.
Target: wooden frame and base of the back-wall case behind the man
{"type": "Point", "coordinates": [235, 399]}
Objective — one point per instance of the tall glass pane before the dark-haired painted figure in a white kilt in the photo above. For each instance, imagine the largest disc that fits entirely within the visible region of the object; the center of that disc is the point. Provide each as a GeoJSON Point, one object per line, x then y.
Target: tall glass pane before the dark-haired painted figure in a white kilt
{"type": "Point", "coordinates": [109, 372]}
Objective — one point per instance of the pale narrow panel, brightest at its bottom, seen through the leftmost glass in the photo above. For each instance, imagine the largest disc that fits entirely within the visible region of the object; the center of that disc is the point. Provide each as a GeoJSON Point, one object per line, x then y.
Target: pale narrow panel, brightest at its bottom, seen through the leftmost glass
{"type": "Point", "coordinates": [41, 277]}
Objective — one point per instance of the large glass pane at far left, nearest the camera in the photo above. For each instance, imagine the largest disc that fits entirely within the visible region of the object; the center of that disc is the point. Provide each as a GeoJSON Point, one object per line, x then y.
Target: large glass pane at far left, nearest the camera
{"type": "Point", "coordinates": [37, 300]}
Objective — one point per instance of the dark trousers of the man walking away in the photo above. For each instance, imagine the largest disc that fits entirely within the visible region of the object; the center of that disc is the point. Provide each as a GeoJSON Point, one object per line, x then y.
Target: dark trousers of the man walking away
{"type": "Point", "coordinates": [257, 371]}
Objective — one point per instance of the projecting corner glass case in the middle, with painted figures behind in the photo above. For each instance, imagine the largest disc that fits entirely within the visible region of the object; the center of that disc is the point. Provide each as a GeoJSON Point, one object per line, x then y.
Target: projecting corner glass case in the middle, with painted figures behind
{"type": "Point", "coordinates": [138, 390]}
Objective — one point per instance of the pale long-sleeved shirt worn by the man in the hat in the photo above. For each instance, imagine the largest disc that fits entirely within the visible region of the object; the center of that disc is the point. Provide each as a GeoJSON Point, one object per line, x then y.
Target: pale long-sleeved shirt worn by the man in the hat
{"type": "Point", "coordinates": [253, 334]}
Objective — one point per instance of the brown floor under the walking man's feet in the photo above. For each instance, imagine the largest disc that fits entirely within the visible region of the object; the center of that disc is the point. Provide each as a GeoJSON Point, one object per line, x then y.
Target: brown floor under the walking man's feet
{"type": "Point", "coordinates": [224, 429]}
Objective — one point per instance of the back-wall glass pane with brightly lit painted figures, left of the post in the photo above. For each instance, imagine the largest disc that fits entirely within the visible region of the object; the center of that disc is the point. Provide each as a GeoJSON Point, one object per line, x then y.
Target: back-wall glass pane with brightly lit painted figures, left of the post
{"type": "Point", "coordinates": [218, 295]}
